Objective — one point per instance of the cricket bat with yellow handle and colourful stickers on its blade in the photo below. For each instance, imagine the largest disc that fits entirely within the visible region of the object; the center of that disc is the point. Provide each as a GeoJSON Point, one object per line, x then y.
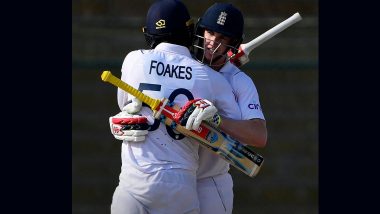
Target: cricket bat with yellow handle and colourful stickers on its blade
{"type": "Point", "coordinates": [235, 153]}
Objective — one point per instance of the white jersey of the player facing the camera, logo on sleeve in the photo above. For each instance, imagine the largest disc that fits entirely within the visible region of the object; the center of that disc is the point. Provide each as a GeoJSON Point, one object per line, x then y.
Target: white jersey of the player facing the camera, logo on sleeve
{"type": "Point", "coordinates": [248, 99]}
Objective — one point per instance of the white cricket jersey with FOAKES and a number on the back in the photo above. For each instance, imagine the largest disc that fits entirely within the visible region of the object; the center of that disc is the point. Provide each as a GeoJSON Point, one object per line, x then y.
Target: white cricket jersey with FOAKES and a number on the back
{"type": "Point", "coordinates": [158, 73]}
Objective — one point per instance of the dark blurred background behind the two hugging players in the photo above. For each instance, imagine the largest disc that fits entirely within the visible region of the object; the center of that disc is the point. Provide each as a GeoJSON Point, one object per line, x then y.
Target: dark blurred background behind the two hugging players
{"type": "Point", "coordinates": [284, 69]}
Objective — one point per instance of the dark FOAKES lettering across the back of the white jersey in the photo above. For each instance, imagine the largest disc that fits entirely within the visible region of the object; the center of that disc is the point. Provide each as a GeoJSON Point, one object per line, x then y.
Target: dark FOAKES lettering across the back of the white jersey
{"type": "Point", "coordinates": [172, 71]}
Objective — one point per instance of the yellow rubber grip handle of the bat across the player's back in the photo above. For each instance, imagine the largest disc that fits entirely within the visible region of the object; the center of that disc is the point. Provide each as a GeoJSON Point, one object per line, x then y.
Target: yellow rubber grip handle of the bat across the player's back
{"type": "Point", "coordinates": [107, 76]}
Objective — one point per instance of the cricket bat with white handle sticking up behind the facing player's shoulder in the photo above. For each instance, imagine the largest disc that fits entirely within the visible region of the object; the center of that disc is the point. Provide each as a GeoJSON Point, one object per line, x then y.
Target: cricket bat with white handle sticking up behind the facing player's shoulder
{"type": "Point", "coordinates": [242, 56]}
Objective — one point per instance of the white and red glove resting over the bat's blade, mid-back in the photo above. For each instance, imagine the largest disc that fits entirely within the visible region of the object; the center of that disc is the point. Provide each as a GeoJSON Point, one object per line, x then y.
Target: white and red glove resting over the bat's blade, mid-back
{"type": "Point", "coordinates": [195, 111]}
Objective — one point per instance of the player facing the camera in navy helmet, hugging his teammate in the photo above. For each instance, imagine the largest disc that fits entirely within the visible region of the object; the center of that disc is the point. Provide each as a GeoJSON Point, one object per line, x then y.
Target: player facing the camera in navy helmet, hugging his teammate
{"type": "Point", "coordinates": [219, 31]}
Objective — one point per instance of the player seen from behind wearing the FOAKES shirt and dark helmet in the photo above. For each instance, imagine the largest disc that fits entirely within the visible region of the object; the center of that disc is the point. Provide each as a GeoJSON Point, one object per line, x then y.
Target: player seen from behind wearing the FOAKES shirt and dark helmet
{"type": "Point", "coordinates": [158, 175]}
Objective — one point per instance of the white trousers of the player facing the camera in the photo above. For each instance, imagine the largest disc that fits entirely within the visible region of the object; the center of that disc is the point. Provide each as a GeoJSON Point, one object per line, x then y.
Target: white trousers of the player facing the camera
{"type": "Point", "coordinates": [215, 194]}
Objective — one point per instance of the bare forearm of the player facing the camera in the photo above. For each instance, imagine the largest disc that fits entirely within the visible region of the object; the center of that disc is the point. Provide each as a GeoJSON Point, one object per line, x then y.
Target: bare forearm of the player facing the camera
{"type": "Point", "coordinates": [252, 132]}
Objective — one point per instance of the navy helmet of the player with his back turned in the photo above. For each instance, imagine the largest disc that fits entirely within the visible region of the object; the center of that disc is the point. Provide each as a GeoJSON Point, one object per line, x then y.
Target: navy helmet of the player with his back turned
{"type": "Point", "coordinates": [168, 21]}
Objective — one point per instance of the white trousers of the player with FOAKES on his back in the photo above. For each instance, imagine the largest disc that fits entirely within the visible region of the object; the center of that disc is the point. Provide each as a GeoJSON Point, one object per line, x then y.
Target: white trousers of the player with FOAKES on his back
{"type": "Point", "coordinates": [170, 191]}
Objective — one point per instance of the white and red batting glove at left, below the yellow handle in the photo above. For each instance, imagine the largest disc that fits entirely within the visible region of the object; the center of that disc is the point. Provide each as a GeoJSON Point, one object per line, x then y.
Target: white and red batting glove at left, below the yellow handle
{"type": "Point", "coordinates": [128, 126]}
